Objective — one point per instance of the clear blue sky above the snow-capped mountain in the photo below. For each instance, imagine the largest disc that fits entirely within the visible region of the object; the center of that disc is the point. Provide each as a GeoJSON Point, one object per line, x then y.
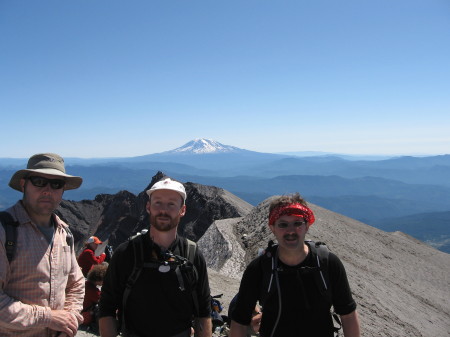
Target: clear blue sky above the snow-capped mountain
{"type": "Point", "coordinates": [107, 78]}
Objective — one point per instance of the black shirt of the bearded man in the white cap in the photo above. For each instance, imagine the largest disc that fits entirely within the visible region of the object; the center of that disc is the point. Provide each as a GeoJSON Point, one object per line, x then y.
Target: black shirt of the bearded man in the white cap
{"type": "Point", "coordinates": [156, 306]}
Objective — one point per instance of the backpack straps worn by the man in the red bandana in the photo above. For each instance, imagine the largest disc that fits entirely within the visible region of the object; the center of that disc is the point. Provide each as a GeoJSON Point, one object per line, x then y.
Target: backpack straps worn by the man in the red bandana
{"type": "Point", "coordinates": [270, 274]}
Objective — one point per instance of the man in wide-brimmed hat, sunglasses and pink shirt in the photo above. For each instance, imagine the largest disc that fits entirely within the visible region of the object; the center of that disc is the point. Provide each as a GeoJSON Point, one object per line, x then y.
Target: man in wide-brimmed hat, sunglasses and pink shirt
{"type": "Point", "coordinates": [42, 287]}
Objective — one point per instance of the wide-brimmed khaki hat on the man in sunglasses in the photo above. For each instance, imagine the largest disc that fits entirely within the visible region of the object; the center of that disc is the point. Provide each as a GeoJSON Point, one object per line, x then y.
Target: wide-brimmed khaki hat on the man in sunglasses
{"type": "Point", "coordinates": [45, 163]}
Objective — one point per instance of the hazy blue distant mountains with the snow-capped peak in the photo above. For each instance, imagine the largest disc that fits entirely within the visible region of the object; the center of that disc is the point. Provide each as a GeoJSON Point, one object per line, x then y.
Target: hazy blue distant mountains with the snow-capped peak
{"type": "Point", "coordinates": [369, 191]}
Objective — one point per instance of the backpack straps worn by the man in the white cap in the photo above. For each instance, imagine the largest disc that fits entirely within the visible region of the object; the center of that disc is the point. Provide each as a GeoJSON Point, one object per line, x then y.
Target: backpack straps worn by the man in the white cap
{"type": "Point", "coordinates": [178, 264]}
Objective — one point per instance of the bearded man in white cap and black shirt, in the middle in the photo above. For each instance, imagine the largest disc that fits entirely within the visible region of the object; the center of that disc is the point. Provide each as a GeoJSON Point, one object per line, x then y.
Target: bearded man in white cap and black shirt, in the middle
{"type": "Point", "coordinates": [158, 281]}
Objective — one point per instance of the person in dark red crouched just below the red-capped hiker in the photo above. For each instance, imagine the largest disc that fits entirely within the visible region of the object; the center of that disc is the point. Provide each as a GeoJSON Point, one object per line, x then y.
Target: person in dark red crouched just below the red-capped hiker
{"type": "Point", "coordinates": [92, 292]}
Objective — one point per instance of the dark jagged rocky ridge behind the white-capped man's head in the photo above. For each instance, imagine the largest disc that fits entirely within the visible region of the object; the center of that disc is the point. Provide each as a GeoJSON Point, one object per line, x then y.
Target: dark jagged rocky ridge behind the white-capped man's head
{"type": "Point", "coordinates": [117, 217]}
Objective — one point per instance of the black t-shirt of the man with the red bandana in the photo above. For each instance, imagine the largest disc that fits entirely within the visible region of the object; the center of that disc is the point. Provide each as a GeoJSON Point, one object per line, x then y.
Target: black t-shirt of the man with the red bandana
{"type": "Point", "coordinates": [304, 311]}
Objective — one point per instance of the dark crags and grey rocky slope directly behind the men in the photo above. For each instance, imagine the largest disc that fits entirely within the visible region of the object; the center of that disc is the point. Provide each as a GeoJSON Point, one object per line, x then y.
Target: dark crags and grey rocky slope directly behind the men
{"type": "Point", "coordinates": [401, 285]}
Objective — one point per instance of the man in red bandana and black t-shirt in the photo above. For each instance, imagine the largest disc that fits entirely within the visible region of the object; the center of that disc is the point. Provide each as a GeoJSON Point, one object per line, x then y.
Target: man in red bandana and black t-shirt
{"type": "Point", "coordinates": [296, 282]}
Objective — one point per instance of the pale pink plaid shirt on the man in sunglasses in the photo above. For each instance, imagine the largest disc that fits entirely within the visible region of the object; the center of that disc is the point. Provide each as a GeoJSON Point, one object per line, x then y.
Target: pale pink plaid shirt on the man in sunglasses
{"type": "Point", "coordinates": [41, 277]}
